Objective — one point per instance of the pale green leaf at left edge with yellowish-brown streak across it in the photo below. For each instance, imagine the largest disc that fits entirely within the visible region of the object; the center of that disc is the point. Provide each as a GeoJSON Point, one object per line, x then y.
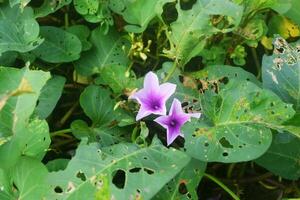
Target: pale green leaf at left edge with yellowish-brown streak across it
{"type": "Point", "coordinates": [19, 90]}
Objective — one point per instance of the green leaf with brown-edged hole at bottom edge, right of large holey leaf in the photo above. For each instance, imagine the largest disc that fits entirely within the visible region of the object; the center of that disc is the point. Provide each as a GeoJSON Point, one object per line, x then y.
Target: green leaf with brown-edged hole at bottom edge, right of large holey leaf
{"type": "Point", "coordinates": [184, 185]}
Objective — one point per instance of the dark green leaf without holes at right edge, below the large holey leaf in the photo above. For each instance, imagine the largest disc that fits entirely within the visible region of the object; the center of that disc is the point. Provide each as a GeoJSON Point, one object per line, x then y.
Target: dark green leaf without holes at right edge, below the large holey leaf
{"type": "Point", "coordinates": [283, 157]}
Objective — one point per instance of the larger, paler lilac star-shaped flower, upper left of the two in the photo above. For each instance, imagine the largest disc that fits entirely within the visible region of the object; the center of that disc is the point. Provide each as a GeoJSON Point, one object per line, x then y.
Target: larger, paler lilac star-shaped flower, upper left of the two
{"type": "Point", "coordinates": [153, 96]}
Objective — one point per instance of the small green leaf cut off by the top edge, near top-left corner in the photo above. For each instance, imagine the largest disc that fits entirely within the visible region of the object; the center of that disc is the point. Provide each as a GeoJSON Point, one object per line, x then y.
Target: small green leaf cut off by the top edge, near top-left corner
{"type": "Point", "coordinates": [50, 6]}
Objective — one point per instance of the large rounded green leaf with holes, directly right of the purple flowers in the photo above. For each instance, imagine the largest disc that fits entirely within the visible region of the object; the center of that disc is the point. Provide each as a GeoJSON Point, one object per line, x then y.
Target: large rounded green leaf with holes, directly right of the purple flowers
{"type": "Point", "coordinates": [236, 123]}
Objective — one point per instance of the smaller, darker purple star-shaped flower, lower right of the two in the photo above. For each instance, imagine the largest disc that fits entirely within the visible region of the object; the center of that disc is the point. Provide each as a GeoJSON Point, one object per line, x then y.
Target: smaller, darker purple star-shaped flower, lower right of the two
{"type": "Point", "coordinates": [175, 120]}
